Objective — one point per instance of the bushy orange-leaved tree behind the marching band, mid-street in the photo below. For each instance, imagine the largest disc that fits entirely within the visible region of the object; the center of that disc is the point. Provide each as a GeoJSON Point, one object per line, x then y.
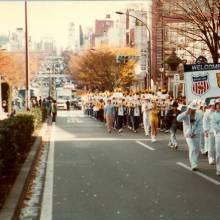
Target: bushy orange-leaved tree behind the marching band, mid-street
{"type": "Point", "coordinates": [97, 69]}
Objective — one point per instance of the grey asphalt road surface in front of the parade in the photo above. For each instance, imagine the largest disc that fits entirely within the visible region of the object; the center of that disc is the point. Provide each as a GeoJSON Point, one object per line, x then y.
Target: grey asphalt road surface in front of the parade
{"type": "Point", "coordinates": [93, 175]}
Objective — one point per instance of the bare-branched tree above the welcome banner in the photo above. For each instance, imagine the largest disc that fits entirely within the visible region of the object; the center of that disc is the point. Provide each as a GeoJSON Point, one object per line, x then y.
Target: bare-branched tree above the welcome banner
{"type": "Point", "coordinates": [203, 22]}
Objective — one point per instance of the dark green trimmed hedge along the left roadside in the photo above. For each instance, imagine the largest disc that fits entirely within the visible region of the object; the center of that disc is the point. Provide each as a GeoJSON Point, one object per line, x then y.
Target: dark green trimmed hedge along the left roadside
{"type": "Point", "coordinates": [16, 134]}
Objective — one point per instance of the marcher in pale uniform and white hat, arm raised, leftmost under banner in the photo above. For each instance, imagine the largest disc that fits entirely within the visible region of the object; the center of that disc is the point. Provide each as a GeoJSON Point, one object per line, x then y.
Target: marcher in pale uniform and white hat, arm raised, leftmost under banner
{"type": "Point", "coordinates": [192, 127]}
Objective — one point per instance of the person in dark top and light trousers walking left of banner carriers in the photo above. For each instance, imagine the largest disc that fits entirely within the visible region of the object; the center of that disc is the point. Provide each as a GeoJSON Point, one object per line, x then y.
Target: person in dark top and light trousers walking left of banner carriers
{"type": "Point", "coordinates": [172, 125]}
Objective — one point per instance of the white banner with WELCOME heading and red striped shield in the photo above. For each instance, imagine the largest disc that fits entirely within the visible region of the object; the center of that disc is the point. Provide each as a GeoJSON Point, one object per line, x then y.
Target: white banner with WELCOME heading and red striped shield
{"type": "Point", "coordinates": [202, 81]}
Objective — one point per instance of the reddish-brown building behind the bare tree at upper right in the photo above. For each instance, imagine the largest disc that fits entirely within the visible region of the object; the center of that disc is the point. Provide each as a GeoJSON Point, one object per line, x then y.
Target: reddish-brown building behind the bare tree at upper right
{"type": "Point", "coordinates": [165, 36]}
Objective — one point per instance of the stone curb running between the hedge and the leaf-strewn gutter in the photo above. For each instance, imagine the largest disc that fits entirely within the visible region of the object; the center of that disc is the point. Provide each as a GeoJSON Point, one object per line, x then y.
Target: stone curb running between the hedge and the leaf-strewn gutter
{"type": "Point", "coordinates": [13, 203]}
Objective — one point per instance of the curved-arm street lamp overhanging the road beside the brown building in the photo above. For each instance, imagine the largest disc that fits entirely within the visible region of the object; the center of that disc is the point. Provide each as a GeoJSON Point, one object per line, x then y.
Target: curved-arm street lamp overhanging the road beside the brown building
{"type": "Point", "coordinates": [148, 75]}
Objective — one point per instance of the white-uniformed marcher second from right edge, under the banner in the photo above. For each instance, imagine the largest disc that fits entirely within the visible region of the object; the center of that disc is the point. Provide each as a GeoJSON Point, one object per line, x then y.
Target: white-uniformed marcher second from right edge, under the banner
{"type": "Point", "coordinates": [209, 132]}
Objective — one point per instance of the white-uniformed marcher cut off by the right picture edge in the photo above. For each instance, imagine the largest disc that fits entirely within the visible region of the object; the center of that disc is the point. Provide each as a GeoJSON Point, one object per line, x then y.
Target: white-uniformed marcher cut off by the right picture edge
{"type": "Point", "coordinates": [215, 124]}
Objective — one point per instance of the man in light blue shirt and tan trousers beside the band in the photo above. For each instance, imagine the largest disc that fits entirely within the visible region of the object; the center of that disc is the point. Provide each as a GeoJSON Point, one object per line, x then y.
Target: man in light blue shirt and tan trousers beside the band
{"type": "Point", "coordinates": [109, 113]}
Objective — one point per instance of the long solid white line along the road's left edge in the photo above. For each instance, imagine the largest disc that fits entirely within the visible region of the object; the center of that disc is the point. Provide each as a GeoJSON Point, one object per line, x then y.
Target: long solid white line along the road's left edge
{"type": "Point", "coordinates": [47, 202]}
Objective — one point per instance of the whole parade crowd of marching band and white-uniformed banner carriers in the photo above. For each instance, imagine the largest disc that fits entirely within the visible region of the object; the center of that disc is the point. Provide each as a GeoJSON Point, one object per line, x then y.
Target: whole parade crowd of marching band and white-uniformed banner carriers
{"type": "Point", "coordinates": [152, 112]}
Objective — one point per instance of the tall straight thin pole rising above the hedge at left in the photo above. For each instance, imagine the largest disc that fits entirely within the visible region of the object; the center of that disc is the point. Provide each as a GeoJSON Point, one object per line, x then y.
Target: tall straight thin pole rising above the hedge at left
{"type": "Point", "coordinates": [26, 59]}
